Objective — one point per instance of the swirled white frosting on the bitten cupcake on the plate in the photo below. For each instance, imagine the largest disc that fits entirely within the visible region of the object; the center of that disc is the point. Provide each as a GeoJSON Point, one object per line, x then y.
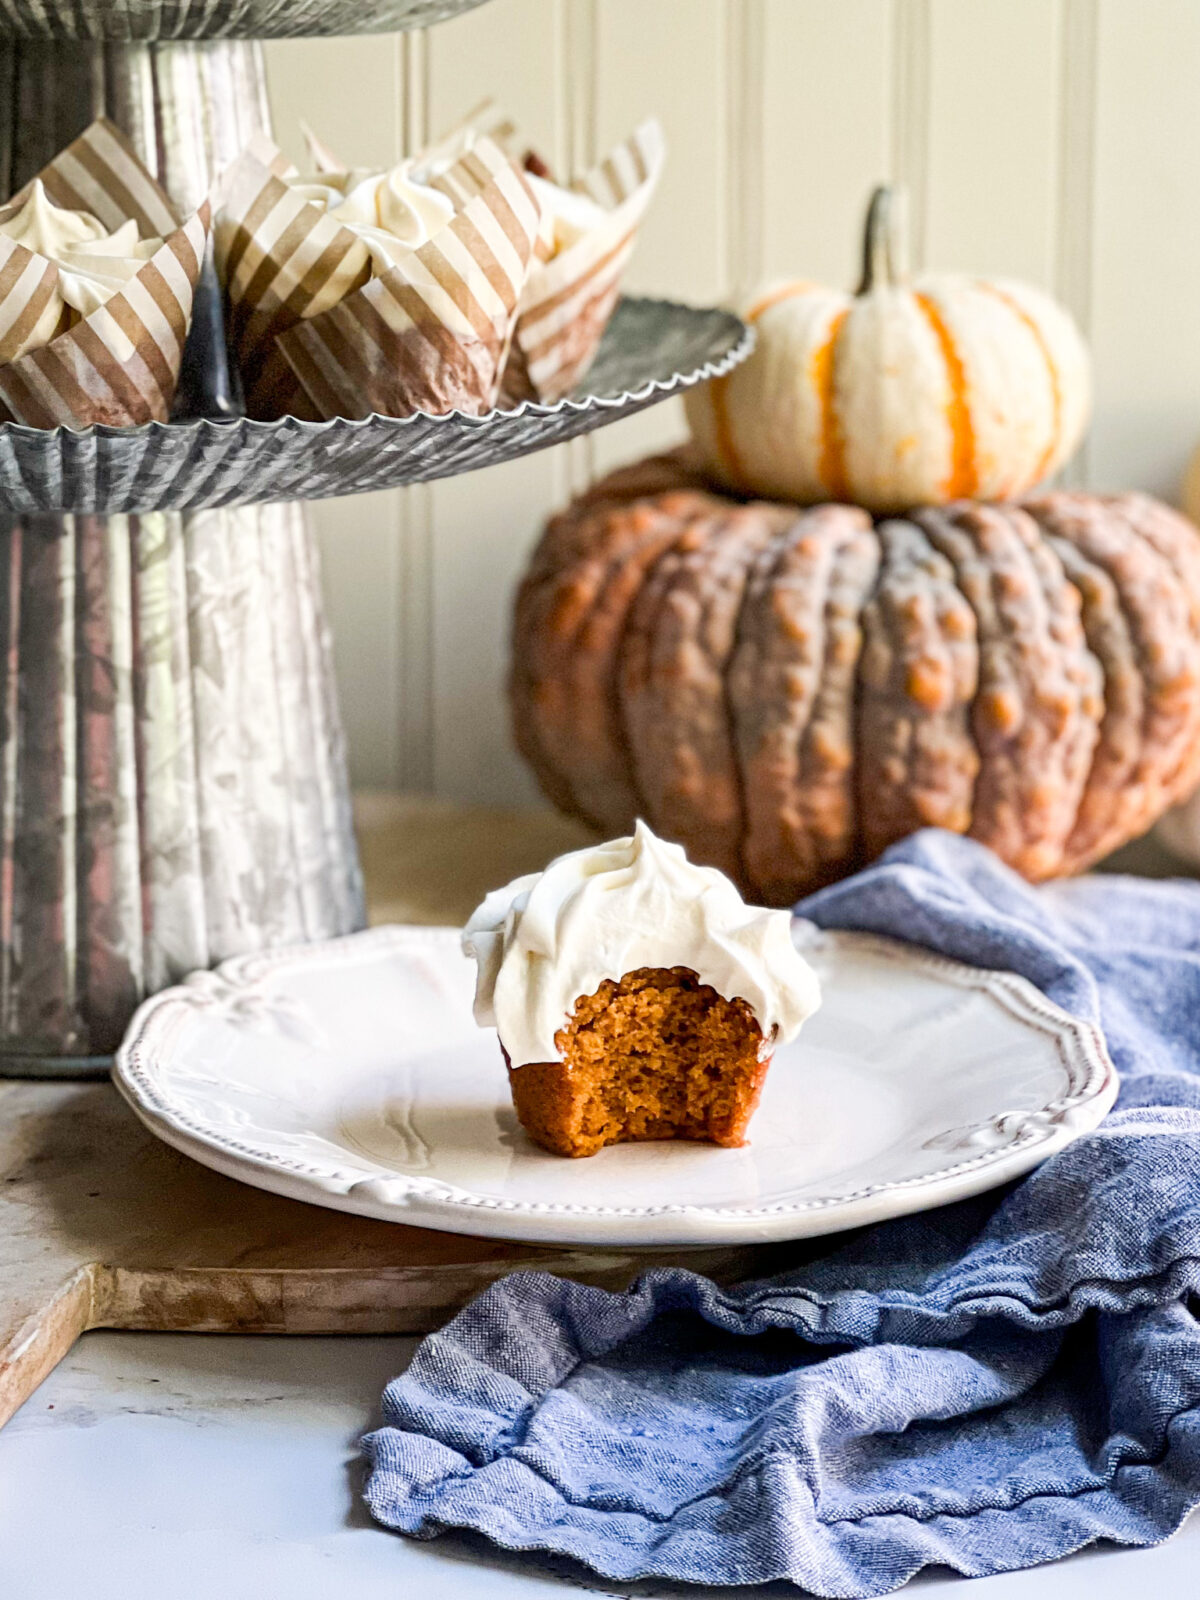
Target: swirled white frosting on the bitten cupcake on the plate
{"type": "Point", "coordinates": [609, 910]}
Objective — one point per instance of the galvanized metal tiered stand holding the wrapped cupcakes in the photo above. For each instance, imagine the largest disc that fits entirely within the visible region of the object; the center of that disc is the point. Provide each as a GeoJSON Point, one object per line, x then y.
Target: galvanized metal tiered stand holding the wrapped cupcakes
{"type": "Point", "coordinates": [172, 767]}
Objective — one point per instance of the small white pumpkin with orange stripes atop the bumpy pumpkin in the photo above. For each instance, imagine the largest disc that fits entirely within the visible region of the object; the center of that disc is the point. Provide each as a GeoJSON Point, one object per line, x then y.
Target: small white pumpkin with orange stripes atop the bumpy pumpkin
{"type": "Point", "coordinates": [906, 393]}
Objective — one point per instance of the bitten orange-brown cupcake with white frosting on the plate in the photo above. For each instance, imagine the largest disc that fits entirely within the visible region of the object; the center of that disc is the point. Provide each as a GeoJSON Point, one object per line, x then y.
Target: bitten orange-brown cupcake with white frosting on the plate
{"type": "Point", "coordinates": [636, 996]}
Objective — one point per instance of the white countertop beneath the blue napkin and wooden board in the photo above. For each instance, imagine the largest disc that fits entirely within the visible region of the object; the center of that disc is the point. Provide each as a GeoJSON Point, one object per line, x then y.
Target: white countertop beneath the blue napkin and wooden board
{"type": "Point", "coordinates": [218, 1468]}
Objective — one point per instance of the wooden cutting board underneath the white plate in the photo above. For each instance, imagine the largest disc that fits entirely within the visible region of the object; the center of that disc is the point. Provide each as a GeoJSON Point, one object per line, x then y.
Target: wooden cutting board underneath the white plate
{"type": "Point", "coordinates": [102, 1226]}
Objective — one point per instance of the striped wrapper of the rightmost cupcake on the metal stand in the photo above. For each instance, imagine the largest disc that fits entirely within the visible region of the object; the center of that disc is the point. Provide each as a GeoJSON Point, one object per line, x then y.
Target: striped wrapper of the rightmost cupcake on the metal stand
{"type": "Point", "coordinates": [570, 298]}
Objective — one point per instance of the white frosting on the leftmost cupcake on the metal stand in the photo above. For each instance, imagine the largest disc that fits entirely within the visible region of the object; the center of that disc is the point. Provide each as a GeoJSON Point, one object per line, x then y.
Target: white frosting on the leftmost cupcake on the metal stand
{"type": "Point", "coordinates": [94, 263]}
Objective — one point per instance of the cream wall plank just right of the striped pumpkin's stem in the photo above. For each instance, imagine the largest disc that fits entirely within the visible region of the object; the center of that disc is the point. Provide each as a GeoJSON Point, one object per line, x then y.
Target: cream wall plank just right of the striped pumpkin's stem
{"type": "Point", "coordinates": [993, 138]}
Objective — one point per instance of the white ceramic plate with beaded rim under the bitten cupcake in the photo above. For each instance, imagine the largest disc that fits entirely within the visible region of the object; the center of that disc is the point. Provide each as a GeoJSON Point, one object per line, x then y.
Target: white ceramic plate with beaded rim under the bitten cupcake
{"type": "Point", "coordinates": [351, 1074]}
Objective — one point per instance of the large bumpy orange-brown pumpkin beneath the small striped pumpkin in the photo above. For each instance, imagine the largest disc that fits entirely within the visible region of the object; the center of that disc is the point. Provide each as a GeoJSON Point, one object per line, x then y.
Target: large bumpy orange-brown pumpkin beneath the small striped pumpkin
{"type": "Point", "coordinates": [786, 692]}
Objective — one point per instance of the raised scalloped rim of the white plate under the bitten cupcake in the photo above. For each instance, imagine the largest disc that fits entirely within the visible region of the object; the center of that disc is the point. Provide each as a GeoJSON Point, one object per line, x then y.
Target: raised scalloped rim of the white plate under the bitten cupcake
{"type": "Point", "coordinates": [434, 1204]}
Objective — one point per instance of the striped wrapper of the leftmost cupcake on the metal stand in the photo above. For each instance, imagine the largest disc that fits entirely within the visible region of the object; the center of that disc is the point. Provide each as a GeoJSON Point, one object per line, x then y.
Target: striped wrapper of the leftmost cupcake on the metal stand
{"type": "Point", "coordinates": [121, 366]}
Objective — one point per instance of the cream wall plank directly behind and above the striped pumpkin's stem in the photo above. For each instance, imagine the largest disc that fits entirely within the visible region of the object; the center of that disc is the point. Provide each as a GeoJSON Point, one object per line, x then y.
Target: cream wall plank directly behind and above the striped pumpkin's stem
{"type": "Point", "coordinates": [826, 134]}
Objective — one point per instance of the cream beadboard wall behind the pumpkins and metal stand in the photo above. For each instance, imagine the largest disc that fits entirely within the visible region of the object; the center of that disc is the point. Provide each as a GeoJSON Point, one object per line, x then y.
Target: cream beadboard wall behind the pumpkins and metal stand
{"type": "Point", "coordinates": [1054, 140]}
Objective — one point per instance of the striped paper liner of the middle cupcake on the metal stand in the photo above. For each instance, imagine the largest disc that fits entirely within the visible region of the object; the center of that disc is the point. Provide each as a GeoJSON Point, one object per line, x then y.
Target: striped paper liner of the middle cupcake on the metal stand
{"type": "Point", "coordinates": [318, 337]}
